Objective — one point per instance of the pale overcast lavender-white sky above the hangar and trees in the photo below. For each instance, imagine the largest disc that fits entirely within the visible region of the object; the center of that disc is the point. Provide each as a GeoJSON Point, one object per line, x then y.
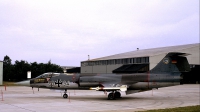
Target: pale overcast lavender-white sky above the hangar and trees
{"type": "Point", "coordinates": [67, 31]}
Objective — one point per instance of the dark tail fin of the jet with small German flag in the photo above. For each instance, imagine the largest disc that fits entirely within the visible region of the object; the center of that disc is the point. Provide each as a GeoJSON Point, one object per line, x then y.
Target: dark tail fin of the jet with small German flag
{"type": "Point", "coordinates": [172, 62]}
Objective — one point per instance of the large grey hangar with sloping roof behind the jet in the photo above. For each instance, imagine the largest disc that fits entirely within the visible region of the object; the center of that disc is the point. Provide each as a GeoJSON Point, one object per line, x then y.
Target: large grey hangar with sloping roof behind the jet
{"type": "Point", "coordinates": [139, 61]}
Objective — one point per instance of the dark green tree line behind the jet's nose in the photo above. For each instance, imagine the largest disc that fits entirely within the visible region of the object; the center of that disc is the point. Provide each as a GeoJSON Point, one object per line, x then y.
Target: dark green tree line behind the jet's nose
{"type": "Point", "coordinates": [18, 70]}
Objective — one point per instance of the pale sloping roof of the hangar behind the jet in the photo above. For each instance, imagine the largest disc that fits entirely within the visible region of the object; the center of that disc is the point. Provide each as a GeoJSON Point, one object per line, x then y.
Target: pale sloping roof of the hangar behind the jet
{"type": "Point", "coordinates": [147, 52]}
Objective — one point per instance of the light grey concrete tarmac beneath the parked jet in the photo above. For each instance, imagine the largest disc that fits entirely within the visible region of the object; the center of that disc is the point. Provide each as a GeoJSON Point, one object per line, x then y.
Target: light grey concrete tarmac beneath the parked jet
{"type": "Point", "coordinates": [24, 99]}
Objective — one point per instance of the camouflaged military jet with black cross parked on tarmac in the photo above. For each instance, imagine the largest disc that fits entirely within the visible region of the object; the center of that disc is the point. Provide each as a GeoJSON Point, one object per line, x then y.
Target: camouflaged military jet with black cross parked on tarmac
{"type": "Point", "coordinates": [166, 73]}
